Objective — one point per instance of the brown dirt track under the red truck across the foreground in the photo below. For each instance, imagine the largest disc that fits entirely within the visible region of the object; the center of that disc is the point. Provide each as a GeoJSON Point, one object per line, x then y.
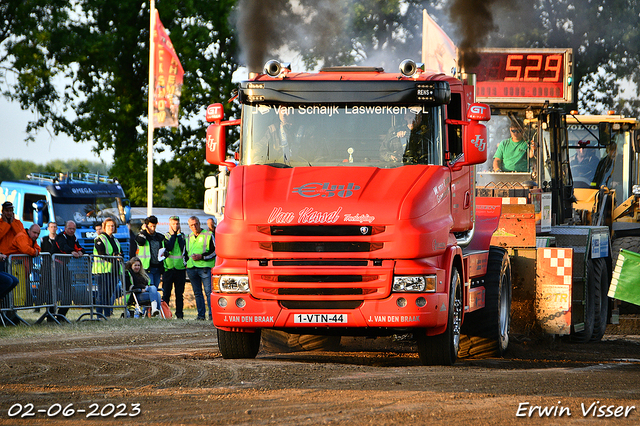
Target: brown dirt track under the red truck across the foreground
{"type": "Point", "coordinates": [178, 377]}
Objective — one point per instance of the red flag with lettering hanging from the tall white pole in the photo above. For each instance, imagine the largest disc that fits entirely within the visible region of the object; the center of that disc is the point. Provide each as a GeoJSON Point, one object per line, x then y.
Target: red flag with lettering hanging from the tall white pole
{"type": "Point", "coordinates": [168, 74]}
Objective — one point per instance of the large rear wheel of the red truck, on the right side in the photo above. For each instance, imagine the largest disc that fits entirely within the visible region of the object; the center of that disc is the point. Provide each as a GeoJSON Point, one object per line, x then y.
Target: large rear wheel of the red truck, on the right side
{"type": "Point", "coordinates": [488, 328]}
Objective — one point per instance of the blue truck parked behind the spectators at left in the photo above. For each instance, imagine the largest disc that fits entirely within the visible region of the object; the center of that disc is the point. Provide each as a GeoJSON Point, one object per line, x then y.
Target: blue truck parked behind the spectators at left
{"type": "Point", "coordinates": [85, 198]}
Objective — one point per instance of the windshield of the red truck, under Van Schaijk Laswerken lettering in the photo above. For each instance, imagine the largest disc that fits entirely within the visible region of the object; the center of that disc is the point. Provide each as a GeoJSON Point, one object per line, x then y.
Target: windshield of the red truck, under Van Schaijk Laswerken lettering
{"type": "Point", "coordinates": [341, 135]}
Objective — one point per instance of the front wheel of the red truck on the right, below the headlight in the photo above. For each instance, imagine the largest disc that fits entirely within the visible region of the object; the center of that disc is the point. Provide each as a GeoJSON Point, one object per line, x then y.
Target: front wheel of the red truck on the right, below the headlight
{"type": "Point", "coordinates": [443, 348]}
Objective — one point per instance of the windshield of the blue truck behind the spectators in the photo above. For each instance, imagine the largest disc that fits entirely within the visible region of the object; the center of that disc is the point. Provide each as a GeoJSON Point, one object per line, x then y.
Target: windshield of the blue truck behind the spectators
{"type": "Point", "coordinates": [87, 211]}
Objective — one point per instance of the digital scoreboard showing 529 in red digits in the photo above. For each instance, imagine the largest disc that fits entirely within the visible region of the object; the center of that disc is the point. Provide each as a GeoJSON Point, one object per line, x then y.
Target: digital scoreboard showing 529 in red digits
{"type": "Point", "coordinates": [524, 76]}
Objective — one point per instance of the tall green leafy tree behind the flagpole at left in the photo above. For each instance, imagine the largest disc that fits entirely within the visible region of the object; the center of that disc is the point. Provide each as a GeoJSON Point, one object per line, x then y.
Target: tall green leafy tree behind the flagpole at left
{"type": "Point", "coordinates": [100, 51]}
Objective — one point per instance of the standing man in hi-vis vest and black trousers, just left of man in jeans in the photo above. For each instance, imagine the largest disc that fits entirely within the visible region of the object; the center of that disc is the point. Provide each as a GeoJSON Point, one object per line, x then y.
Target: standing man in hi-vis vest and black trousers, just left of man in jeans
{"type": "Point", "coordinates": [174, 267]}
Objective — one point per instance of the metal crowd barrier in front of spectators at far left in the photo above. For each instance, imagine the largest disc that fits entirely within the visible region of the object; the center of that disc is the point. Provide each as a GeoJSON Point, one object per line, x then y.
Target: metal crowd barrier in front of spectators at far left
{"type": "Point", "coordinates": [55, 284]}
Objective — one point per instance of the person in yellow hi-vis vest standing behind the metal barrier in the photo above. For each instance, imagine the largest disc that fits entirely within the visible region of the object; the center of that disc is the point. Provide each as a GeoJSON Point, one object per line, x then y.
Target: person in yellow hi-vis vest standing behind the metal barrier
{"type": "Point", "coordinates": [106, 277]}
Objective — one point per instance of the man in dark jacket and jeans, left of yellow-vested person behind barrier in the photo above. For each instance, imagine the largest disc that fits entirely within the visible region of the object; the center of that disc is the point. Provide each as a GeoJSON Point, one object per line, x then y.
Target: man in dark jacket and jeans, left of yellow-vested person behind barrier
{"type": "Point", "coordinates": [67, 243]}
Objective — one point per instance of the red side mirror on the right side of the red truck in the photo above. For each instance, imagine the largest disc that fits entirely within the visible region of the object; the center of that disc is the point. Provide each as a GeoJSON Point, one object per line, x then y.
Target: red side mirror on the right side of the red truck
{"type": "Point", "coordinates": [474, 143]}
